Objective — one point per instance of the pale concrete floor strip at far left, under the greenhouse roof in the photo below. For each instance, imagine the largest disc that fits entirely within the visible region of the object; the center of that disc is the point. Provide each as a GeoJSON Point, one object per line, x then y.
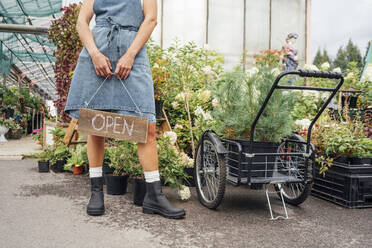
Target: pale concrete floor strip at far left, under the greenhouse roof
{"type": "Point", "coordinates": [15, 149]}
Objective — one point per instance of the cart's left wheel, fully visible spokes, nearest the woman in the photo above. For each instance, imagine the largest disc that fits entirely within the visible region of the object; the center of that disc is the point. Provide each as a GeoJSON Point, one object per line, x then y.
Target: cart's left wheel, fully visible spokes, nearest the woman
{"type": "Point", "coordinates": [211, 176]}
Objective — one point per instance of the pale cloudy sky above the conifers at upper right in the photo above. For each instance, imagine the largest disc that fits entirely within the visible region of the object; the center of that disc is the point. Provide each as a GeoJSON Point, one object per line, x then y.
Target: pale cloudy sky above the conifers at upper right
{"type": "Point", "coordinates": [334, 22]}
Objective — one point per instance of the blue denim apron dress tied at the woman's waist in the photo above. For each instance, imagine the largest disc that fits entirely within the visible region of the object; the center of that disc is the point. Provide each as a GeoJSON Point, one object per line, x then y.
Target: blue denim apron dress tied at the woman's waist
{"type": "Point", "coordinates": [117, 23]}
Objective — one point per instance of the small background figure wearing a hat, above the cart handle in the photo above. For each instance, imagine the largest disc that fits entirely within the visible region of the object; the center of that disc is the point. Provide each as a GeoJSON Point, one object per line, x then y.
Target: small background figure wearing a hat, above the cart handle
{"type": "Point", "coordinates": [290, 59]}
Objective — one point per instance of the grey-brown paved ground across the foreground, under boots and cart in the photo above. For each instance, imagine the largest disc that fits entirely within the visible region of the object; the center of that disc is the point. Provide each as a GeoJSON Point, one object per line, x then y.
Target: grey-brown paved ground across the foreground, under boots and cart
{"type": "Point", "coordinates": [48, 210]}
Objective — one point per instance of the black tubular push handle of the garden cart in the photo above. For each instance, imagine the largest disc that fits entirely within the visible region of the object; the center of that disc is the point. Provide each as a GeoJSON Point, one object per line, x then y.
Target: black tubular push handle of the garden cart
{"type": "Point", "coordinates": [301, 73]}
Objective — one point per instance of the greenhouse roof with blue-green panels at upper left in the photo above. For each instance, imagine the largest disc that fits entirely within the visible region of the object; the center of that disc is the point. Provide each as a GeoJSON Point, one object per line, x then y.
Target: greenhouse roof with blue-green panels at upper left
{"type": "Point", "coordinates": [28, 57]}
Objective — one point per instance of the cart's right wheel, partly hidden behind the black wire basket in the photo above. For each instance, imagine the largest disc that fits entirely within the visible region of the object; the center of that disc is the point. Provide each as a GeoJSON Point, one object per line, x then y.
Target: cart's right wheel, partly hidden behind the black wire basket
{"type": "Point", "coordinates": [293, 193]}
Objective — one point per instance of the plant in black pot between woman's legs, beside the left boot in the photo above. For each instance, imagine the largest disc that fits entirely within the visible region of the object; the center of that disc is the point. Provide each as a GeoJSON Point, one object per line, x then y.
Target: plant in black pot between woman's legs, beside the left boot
{"type": "Point", "coordinates": [119, 157]}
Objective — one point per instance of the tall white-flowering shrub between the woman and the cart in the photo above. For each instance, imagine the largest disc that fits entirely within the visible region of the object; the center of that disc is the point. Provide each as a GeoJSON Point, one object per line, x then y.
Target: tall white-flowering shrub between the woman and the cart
{"type": "Point", "coordinates": [182, 77]}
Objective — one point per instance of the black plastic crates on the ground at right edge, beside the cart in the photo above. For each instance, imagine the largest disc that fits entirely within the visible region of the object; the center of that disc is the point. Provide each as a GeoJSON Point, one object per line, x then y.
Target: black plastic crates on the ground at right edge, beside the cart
{"type": "Point", "coordinates": [347, 185]}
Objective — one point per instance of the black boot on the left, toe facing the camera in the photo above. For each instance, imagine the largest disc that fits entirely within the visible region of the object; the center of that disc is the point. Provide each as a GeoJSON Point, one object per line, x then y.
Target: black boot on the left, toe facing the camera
{"type": "Point", "coordinates": [96, 205]}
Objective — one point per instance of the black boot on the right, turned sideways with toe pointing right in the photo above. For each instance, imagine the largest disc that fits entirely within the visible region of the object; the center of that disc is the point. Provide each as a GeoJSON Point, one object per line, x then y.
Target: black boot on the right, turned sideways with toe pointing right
{"type": "Point", "coordinates": [155, 202]}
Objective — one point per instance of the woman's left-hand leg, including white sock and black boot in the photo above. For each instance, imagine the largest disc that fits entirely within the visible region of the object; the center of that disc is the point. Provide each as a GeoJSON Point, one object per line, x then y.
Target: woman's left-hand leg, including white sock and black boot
{"type": "Point", "coordinates": [96, 150]}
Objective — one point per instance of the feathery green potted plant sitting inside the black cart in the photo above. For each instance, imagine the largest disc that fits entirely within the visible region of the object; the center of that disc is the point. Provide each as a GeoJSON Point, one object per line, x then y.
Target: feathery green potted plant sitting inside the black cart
{"type": "Point", "coordinates": [240, 95]}
